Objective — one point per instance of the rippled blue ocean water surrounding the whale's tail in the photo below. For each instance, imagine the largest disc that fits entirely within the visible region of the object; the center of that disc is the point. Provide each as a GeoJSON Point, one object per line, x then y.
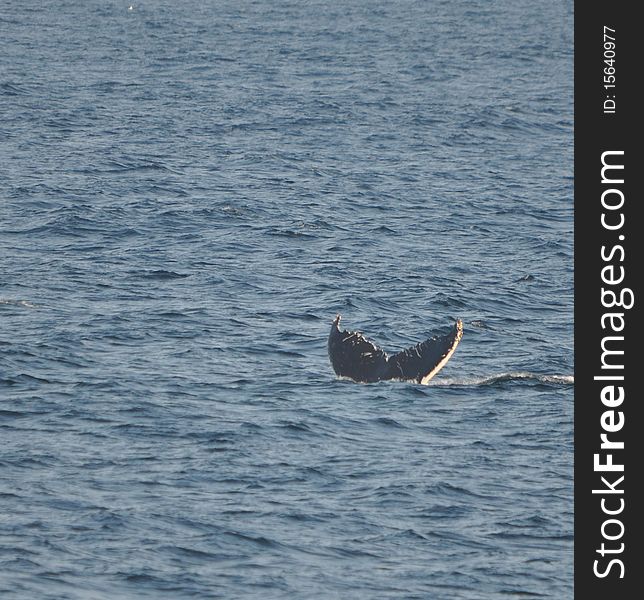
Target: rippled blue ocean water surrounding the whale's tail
{"type": "Point", "coordinates": [189, 193]}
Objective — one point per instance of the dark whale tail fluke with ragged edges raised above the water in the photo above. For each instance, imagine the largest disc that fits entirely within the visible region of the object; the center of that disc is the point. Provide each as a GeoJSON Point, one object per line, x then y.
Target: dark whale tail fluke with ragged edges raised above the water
{"type": "Point", "coordinates": [354, 356]}
